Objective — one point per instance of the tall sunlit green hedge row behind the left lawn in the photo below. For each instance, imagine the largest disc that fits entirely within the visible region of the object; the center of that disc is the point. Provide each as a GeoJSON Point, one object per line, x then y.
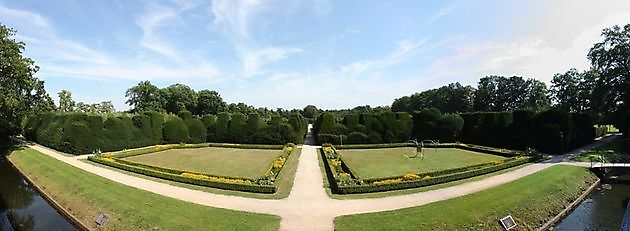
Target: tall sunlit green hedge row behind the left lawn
{"type": "Point", "coordinates": [80, 133]}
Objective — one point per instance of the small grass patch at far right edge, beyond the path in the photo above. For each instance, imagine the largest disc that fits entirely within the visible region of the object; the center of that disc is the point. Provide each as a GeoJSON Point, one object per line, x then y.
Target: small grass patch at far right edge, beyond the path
{"type": "Point", "coordinates": [615, 151]}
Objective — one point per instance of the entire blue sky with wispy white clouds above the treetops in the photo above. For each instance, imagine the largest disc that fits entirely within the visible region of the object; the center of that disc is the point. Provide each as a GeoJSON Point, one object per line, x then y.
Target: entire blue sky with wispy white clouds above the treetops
{"type": "Point", "coordinates": [333, 54]}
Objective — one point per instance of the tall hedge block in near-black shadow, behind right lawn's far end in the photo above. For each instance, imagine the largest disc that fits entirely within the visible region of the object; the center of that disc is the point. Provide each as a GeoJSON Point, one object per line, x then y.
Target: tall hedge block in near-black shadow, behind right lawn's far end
{"type": "Point", "coordinates": [550, 131]}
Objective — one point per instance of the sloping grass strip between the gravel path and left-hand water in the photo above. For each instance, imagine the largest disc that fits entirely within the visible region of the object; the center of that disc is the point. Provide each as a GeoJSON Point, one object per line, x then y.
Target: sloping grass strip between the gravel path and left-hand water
{"type": "Point", "coordinates": [87, 195]}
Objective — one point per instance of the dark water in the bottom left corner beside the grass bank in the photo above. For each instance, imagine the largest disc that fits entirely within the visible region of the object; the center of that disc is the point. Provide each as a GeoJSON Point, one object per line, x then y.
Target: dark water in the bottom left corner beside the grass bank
{"type": "Point", "coordinates": [21, 207]}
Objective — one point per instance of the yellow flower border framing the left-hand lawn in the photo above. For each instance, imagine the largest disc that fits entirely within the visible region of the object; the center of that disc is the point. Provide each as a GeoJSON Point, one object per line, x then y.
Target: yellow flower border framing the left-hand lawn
{"type": "Point", "coordinates": [263, 184]}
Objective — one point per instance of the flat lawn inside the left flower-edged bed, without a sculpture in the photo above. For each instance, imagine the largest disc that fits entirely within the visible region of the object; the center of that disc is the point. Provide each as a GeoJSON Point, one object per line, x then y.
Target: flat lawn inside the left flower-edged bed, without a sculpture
{"type": "Point", "coordinates": [234, 162]}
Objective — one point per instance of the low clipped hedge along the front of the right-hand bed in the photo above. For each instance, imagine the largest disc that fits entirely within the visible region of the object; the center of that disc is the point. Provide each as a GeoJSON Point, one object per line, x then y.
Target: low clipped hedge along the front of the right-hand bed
{"type": "Point", "coordinates": [429, 181]}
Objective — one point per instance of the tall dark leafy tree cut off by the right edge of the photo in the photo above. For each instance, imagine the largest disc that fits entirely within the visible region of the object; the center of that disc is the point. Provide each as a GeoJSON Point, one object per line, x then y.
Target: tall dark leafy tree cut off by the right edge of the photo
{"type": "Point", "coordinates": [611, 58]}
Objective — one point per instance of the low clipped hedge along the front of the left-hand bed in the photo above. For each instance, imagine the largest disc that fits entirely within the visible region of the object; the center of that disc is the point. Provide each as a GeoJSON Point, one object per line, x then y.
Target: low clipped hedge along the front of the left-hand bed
{"type": "Point", "coordinates": [179, 178]}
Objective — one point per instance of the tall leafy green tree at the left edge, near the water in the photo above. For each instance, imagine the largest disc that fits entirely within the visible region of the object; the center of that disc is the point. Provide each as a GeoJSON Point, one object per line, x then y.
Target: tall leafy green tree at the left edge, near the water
{"type": "Point", "coordinates": [21, 93]}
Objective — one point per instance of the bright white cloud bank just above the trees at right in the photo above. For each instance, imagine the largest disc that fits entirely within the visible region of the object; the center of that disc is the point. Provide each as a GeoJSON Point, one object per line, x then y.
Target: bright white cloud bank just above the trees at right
{"type": "Point", "coordinates": [537, 56]}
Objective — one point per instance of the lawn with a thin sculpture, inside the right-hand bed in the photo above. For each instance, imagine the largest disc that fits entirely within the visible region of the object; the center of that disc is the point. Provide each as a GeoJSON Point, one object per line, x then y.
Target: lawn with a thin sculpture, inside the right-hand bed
{"type": "Point", "coordinates": [390, 162]}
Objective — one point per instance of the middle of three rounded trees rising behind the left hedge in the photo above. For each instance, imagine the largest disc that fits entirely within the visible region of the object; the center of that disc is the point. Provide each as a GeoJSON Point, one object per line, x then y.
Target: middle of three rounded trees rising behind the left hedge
{"type": "Point", "coordinates": [179, 97]}
